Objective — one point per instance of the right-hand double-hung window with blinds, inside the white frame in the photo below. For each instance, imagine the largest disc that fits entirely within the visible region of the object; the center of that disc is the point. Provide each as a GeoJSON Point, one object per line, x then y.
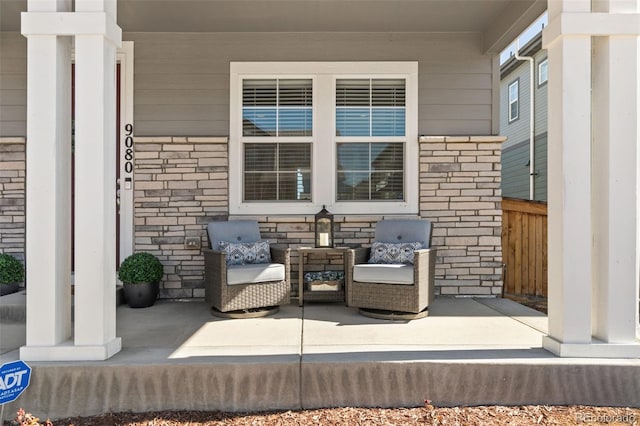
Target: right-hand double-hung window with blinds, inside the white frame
{"type": "Point", "coordinates": [370, 136]}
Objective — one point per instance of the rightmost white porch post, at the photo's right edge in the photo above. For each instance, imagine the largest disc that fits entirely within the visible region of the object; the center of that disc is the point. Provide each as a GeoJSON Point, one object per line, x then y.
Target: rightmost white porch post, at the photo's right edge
{"type": "Point", "coordinates": [616, 85]}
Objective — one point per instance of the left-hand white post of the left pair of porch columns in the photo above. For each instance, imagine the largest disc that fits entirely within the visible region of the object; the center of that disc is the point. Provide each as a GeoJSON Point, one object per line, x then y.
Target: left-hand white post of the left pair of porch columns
{"type": "Point", "coordinates": [48, 190]}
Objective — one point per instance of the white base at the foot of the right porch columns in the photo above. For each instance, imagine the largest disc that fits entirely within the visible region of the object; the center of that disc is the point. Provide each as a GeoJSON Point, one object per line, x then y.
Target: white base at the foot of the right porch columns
{"type": "Point", "coordinates": [595, 349]}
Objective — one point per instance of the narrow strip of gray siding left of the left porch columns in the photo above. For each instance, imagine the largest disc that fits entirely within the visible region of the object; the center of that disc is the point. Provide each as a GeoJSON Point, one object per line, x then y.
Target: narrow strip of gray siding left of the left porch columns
{"type": "Point", "coordinates": [13, 84]}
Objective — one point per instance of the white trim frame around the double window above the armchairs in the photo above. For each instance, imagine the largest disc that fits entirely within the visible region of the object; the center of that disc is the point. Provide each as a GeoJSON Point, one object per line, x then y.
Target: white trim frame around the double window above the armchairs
{"type": "Point", "coordinates": [324, 75]}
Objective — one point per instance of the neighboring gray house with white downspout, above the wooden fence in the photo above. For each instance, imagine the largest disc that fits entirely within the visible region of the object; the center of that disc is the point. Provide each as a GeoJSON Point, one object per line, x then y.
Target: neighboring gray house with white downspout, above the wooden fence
{"type": "Point", "coordinates": [515, 107]}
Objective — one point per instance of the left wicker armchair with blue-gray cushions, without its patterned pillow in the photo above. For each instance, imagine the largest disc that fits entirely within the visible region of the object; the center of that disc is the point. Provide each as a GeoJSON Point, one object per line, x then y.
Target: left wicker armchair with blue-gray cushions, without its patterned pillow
{"type": "Point", "coordinates": [245, 290]}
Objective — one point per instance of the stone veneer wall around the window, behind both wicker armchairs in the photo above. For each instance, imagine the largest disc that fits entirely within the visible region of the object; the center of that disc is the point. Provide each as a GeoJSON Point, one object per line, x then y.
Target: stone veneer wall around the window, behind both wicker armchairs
{"type": "Point", "coordinates": [181, 184]}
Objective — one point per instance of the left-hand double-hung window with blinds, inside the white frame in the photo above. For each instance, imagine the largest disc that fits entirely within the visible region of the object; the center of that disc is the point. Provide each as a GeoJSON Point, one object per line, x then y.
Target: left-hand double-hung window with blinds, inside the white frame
{"type": "Point", "coordinates": [277, 122]}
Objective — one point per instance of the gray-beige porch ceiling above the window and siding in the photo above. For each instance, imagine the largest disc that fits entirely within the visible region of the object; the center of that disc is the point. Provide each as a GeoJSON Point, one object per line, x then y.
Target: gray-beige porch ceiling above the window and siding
{"type": "Point", "coordinates": [497, 21]}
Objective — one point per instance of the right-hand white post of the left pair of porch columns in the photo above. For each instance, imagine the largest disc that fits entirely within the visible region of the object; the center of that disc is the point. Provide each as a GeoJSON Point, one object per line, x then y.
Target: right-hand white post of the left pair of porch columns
{"type": "Point", "coordinates": [95, 227]}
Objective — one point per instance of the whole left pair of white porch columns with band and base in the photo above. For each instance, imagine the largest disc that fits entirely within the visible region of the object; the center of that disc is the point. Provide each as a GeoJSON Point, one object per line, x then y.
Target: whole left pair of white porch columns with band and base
{"type": "Point", "coordinates": [48, 26]}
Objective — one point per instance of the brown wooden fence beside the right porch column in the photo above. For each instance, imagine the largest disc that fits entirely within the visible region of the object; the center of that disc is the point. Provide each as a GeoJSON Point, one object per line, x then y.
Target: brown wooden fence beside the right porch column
{"type": "Point", "coordinates": [524, 247]}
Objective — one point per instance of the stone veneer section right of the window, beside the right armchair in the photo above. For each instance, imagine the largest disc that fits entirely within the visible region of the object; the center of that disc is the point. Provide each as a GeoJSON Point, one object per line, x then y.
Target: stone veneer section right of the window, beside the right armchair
{"type": "Point", "coordinates": [460, 193]}
